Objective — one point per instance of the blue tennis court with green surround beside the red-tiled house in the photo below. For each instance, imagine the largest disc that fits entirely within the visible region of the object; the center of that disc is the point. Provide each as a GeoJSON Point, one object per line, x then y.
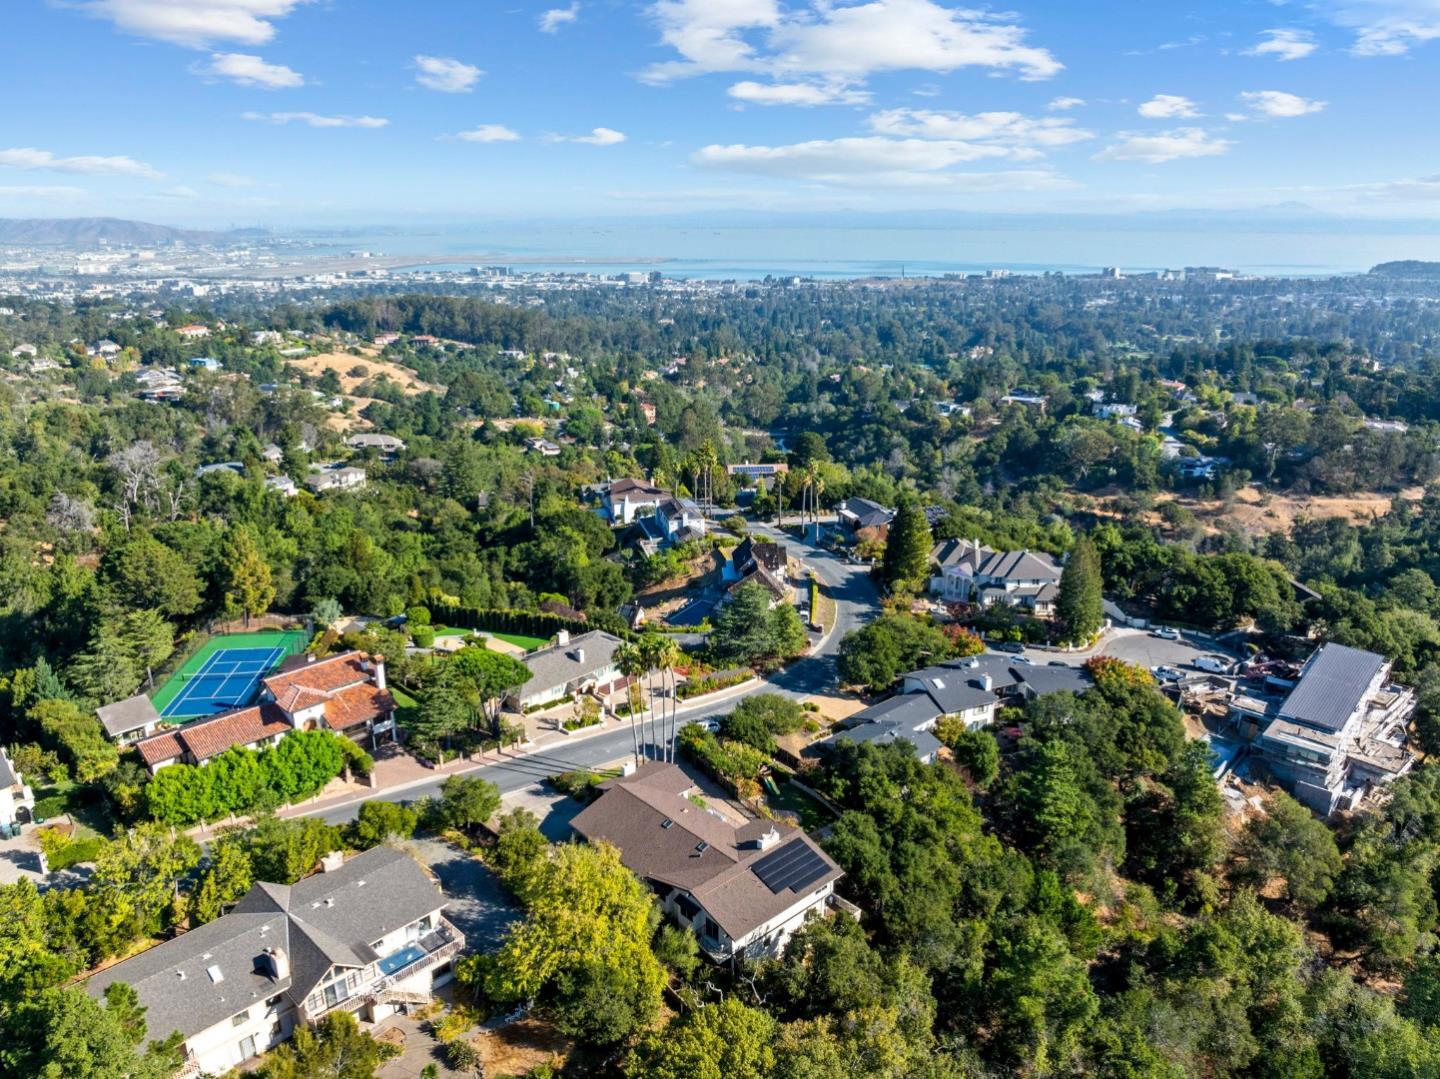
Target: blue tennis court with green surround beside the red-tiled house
{"type": "Point", "coordinates": [225, 673]}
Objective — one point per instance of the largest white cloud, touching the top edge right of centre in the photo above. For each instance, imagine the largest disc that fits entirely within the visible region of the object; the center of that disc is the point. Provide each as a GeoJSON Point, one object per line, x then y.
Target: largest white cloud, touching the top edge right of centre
{"type": "Point", "coordinates": [842, 42]}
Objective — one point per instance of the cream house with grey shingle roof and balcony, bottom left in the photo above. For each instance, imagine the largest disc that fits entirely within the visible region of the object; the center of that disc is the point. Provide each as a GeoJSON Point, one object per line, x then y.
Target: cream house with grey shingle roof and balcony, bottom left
{"type": "Point", "coordinates": [368, 936]}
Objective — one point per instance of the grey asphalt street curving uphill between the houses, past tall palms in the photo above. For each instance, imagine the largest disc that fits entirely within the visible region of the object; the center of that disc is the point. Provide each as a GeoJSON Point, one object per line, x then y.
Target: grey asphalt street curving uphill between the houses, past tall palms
{"type": "Point", "coordinates": [856, 603]}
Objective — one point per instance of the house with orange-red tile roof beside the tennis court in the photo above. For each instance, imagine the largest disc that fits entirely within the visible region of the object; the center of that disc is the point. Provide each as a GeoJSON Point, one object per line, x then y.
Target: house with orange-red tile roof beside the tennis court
{"type": "Point", "coordinates": [345, 694]}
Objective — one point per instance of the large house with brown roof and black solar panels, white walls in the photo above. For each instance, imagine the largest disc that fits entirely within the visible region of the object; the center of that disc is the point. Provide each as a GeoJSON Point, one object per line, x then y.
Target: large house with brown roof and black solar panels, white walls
{"type": "Point", "coordinates": [744, 887]}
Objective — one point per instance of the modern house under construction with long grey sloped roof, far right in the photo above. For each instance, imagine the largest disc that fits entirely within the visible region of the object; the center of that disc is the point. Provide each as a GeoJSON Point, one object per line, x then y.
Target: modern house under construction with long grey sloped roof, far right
{"type": "Point", "coordinates": [1340, 733]}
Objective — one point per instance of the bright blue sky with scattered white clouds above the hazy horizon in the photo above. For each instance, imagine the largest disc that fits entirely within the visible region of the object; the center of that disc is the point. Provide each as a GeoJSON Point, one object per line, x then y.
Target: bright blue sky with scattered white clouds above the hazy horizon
{"type": "Point", "coordinates": [366, 112]}
